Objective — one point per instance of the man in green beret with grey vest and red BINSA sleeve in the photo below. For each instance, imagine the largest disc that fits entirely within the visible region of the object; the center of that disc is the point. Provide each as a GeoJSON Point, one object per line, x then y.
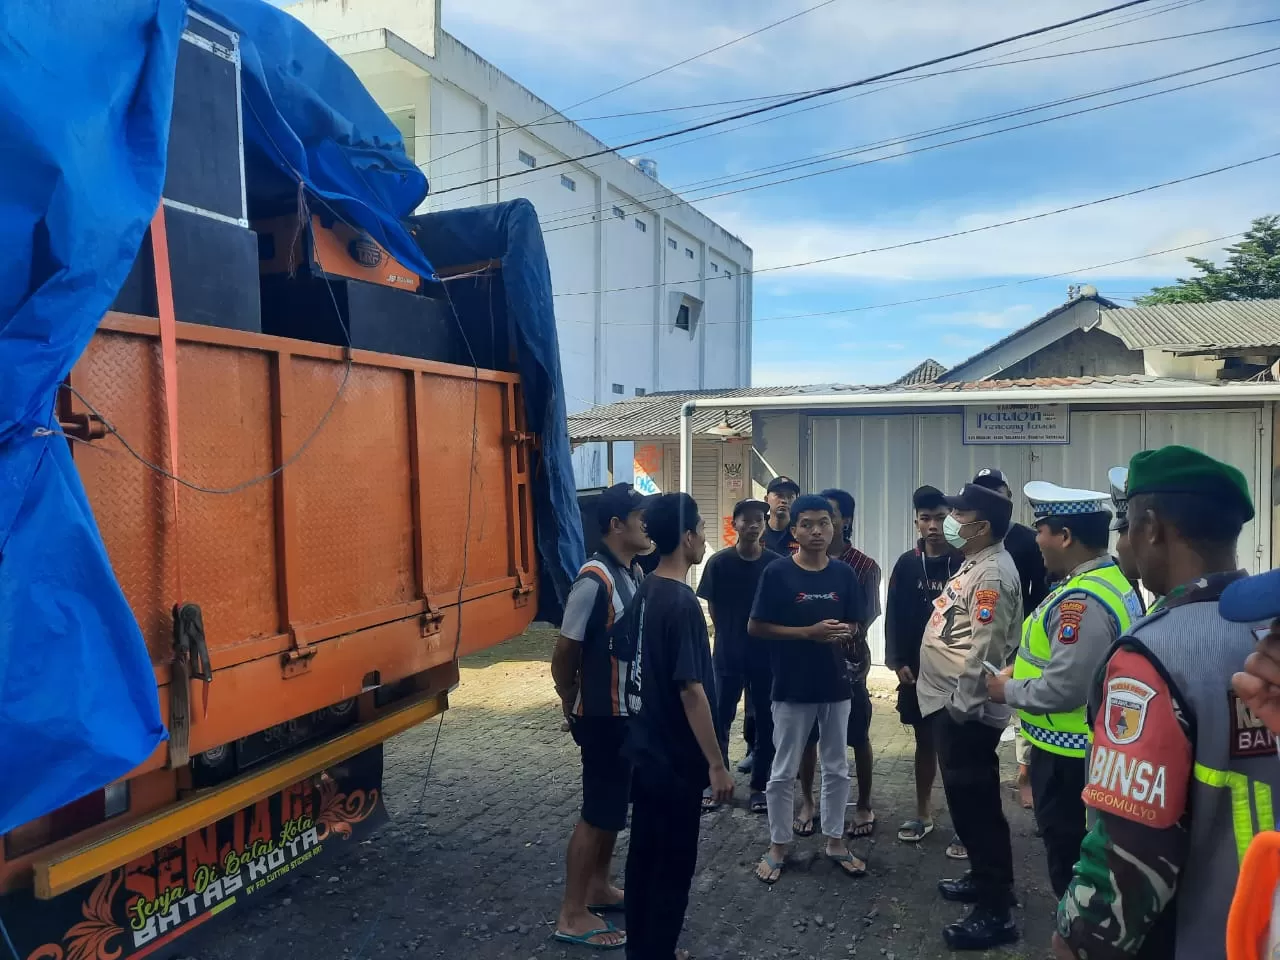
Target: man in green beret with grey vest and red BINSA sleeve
{"type": "Point", "coordinates": [1180, 778]}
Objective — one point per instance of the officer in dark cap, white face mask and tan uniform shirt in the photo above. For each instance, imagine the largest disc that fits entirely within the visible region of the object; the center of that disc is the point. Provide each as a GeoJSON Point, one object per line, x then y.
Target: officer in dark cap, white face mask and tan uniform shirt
{"type": "Point", "coordinates": [975, 620]}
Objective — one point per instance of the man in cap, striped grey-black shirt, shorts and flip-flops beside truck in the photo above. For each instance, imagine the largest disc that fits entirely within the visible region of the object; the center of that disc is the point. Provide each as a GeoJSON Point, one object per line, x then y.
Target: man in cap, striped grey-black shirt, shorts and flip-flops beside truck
{"type": "Point", "coordinates": [591, 685]}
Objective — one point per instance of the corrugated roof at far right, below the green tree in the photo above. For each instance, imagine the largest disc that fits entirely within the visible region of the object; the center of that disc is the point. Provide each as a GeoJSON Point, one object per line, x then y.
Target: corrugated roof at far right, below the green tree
{"type": "Point", "coordinates": [1229, 324]}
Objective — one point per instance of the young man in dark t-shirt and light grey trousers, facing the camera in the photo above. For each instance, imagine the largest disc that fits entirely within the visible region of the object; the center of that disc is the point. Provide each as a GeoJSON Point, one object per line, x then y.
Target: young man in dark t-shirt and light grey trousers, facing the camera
{"type": "Point", "coordinates": [811, 610]}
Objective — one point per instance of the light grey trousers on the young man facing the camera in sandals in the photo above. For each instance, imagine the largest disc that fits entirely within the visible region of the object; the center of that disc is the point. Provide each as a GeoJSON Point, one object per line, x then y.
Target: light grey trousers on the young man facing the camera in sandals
{"type": "Point", "coordinates": [792, 726]}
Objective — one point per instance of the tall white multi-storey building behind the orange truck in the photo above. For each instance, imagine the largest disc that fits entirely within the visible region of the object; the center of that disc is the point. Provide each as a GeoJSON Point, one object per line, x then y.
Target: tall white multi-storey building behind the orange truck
{"type": "Point", "coordinates": [651, 295]}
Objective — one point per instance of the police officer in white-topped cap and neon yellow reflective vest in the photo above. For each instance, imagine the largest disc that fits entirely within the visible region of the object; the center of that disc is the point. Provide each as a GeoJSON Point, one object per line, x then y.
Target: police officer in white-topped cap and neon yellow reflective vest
{"type": "Point", "coordinates": [1064, 641]}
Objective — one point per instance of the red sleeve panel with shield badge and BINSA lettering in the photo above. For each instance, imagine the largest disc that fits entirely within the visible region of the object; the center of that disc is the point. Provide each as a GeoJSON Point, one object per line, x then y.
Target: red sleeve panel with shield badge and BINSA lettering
{"type": "Point", "coordinates": [1141, 765]}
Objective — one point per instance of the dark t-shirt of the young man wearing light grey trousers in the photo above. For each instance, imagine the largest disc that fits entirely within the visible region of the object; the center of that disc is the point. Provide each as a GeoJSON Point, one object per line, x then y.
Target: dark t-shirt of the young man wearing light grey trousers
{"type": "Point", "coordinates": [810, 671]}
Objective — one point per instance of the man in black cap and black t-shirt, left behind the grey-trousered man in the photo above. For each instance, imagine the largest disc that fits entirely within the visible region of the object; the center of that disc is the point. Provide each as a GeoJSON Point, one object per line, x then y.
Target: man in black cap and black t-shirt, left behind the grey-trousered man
{"type": "Point", "coordinates": [729, 587]}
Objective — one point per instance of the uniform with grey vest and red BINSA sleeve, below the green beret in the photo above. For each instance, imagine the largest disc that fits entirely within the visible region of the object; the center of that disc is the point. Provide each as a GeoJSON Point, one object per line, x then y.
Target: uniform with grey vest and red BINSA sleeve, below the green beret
{"type": "Point", "coordinates": [1155, 881]}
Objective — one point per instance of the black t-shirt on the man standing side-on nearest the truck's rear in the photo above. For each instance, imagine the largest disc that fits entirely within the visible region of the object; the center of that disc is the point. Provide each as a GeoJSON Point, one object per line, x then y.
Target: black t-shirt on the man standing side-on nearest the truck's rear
{"type": "Point", "coordinates": [673, 650]}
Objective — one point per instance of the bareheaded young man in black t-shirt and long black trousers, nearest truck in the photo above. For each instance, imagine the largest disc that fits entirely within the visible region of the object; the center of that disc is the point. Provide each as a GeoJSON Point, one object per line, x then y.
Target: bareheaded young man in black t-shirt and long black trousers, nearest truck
{"type": "Point", "coordinates": [673, 740]}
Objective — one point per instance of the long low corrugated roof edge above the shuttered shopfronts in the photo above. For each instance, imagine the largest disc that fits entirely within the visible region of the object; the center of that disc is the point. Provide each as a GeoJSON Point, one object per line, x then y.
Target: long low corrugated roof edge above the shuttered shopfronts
{"type": "Point", "coordinates": [659, 414]}
